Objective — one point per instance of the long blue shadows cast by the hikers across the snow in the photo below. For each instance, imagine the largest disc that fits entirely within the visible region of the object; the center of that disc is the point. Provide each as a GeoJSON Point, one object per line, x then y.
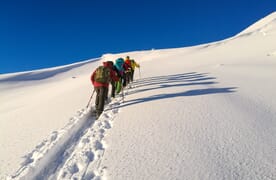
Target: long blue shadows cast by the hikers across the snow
{"type": "Point", "coordinates": [176, 80]}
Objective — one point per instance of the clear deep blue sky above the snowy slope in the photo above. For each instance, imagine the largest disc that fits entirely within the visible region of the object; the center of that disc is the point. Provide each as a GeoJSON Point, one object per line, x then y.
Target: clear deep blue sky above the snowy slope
{"type": "Point", "coordinates": [37, 34]}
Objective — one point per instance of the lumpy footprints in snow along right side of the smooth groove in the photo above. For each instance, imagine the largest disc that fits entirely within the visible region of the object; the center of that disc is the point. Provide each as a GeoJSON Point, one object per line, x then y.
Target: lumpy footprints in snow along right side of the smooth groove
{"type": "Point", "coordinates": [85, 161]}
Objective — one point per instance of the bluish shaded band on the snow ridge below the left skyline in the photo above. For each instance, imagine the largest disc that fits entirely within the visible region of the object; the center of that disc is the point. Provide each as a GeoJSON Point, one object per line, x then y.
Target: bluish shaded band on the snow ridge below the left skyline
{"type": "Point", "coordinates": [31, 76]}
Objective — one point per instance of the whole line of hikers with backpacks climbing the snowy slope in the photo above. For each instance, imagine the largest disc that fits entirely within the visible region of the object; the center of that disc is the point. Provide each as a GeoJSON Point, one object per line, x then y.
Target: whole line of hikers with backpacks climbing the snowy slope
{"type": "Point", "coordinates": [119, 74]}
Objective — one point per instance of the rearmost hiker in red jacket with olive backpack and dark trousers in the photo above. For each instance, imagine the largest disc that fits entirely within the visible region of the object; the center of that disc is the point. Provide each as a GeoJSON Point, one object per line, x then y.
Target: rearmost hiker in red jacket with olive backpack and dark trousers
{"type": "Point", "coordinates": [101, 78]}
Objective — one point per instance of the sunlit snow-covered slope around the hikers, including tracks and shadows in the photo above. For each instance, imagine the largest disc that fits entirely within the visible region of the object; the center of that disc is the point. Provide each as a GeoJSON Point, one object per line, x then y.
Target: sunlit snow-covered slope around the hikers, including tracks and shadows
{"type": "Point", "coordinates": [201, 112]}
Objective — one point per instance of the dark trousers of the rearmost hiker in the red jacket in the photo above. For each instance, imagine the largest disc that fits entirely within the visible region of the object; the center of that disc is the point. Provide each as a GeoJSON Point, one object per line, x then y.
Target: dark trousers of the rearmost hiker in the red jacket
{"type": "Point", "coordinates": [100, 98]}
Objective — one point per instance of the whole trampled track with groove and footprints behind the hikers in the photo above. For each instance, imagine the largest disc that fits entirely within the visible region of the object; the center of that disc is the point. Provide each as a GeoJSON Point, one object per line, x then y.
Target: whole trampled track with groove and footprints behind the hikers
{"type": "Point", "coordinates": [73, 152]}
